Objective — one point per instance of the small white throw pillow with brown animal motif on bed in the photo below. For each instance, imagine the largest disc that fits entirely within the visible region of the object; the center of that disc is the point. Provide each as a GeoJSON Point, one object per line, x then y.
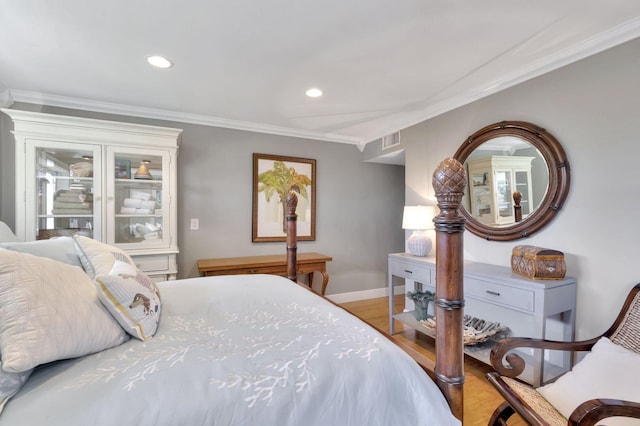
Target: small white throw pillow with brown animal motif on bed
{"type": "Point", "coordinates": [132, 298]}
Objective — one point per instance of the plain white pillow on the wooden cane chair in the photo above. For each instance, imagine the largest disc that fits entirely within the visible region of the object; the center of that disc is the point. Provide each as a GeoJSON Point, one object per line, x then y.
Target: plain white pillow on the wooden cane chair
{"type": "Point", "coordinates": [608, 371]}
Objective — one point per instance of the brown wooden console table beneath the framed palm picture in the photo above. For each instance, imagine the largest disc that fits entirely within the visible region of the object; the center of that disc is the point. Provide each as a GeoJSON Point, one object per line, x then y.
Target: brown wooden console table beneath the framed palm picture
{"type": "Point", "coordinates": [307, 263]}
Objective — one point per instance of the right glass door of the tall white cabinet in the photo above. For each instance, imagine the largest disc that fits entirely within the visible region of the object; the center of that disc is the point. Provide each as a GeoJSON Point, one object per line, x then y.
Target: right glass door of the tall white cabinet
{"type": "Point", "coordinates": [137, 197]}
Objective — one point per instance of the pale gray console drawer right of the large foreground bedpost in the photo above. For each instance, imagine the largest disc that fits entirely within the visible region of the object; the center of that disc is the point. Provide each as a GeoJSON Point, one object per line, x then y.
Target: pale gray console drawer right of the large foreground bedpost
{"type": "Point", "coordinates": [503, 295]}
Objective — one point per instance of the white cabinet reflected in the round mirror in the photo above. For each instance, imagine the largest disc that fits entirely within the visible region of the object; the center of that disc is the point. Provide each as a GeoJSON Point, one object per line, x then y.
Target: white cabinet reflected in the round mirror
{"type": "Point", "coordinates": [492, 182]}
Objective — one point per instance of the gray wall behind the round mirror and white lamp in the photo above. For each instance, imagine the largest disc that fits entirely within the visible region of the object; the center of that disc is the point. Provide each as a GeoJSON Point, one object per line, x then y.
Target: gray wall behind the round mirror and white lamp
{"type": "Point", "coordinates": [592, 108]}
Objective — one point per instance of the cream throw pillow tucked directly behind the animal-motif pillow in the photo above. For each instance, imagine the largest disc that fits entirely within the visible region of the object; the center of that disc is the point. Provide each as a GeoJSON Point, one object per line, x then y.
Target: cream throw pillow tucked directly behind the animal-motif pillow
{"type": "Point", "coordinates": [97, 257]}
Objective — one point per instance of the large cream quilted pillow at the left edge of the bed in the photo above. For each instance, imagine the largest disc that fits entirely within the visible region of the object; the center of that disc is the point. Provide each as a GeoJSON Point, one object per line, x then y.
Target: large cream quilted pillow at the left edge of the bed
{"type": "Point", "coordinates": [49, 311]}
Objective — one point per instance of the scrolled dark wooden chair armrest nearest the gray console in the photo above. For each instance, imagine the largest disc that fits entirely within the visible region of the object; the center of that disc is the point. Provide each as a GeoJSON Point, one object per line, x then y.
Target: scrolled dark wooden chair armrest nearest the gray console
{"type": "Point", "coordinates": [512, 365]}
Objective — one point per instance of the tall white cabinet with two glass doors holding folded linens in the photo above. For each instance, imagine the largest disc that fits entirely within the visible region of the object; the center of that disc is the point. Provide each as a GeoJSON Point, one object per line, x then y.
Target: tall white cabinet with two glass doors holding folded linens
{"type": "Point", "coordinates": [115, 182]}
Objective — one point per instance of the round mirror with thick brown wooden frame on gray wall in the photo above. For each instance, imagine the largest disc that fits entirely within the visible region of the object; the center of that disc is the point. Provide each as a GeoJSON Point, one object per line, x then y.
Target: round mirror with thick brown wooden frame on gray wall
{"type": "Point", "coordinates": [518, 180]}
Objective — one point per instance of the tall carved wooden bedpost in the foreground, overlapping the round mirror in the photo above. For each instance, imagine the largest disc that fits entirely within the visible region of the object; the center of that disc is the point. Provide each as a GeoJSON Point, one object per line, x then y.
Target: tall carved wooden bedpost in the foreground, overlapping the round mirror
{"type": "Point", "coordinates": [449, 181]}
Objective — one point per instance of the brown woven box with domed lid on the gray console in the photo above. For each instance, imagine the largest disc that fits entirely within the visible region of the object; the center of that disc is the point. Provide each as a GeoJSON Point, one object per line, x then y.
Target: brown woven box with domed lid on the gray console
{"type": "Point", "coordinates": [538, 263]}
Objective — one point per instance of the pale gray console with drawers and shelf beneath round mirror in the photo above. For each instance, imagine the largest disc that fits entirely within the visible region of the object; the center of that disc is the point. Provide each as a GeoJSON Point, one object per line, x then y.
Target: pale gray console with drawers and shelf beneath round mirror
{"type": "Point", "coordinates": [543, 309]}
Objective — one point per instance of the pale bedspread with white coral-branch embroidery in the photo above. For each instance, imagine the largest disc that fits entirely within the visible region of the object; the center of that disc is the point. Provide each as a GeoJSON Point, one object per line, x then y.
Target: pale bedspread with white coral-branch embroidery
{"type": "Point", "coordinates": [238, 350]}
